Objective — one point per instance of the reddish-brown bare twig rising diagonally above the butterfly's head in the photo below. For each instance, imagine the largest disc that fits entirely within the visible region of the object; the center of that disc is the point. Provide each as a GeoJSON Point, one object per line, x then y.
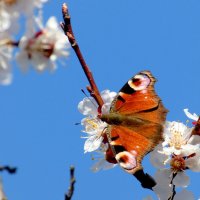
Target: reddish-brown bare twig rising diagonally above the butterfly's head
{"type": "Point", "coordinates": [67, 28]}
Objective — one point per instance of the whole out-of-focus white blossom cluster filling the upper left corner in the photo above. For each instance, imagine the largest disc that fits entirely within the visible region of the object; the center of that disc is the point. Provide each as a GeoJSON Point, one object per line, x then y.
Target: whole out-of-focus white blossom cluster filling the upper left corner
{"type": "Point", "coordinates": [39, 47]}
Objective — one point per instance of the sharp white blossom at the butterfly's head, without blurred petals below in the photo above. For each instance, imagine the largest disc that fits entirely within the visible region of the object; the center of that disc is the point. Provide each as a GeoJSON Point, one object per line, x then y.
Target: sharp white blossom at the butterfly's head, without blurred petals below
{"type": "Point", "coordinates": [94, 127]}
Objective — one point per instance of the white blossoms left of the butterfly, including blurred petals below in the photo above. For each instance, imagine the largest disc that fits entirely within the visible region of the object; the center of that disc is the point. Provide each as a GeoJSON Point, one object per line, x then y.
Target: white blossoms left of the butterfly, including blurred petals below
{"type": "Point", "coordinates": [94, 128]}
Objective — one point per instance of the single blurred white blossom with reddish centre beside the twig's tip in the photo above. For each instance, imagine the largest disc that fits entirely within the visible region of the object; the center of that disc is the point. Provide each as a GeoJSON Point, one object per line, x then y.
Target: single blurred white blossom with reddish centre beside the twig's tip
{"type": "Point", "coordinates": [42, 50]}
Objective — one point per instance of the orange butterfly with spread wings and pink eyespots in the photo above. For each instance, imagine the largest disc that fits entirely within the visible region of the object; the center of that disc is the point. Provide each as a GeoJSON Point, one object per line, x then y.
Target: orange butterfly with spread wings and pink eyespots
{"type": "Point", "coordinates": [135, 125]}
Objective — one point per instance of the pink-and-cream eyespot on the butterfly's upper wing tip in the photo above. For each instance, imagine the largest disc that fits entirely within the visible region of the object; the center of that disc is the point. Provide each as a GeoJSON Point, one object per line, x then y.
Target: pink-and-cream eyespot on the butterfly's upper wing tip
{"type": "Point", "coordinates": [139, 82]}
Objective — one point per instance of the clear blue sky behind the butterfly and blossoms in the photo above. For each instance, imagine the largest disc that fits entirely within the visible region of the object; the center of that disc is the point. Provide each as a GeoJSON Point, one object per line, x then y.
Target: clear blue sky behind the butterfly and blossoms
{"type": "Point", "coordinates": [118, 39]}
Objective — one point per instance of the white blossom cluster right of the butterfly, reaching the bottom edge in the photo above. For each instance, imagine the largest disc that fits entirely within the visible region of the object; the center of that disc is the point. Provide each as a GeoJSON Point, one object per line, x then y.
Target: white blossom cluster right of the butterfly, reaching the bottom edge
{"type": "Point", "coordinates": [179, 151]}
